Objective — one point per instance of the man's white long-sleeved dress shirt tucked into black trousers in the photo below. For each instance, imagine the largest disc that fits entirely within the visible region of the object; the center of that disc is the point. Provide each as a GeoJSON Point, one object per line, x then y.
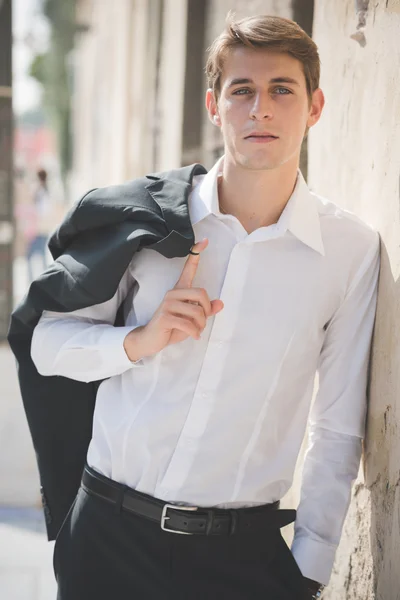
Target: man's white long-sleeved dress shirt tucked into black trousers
{"type": "Point", "coordinates": [220, 421]}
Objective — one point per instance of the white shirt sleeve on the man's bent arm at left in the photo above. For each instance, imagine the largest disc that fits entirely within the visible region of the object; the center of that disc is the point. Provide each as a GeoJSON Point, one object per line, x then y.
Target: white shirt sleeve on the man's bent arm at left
{"type": "Point", "coordinates": [84, 344]}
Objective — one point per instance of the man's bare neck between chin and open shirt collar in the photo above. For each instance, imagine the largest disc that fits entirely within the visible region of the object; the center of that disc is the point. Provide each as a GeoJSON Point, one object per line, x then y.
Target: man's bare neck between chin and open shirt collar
{"type": "Point", "coordinates": [256, 198]}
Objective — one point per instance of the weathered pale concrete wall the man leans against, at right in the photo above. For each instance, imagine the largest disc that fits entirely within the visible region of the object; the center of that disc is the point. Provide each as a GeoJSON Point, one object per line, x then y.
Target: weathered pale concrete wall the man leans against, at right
{"type": "Point", "coordinates": [354, 159]}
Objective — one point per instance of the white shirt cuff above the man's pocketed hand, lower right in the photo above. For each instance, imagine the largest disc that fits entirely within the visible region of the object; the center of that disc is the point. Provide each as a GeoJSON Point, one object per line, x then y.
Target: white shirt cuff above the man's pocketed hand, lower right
{"type": "Point", "coordinates": [315, 559]}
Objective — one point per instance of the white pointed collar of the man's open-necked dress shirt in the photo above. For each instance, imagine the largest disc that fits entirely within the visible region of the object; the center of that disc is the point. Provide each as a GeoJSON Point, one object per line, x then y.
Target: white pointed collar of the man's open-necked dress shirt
{"type": "Point", "coordinates": [300, 215]}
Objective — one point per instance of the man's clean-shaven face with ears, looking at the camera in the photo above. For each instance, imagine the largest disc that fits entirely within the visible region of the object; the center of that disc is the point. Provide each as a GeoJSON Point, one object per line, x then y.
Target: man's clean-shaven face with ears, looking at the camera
{"type": "Point", "coordinates": [263, 92]}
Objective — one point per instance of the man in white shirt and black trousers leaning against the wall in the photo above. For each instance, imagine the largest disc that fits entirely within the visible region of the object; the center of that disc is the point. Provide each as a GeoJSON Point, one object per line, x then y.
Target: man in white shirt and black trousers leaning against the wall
{"type": "Point", "coordinates": [206, 389]}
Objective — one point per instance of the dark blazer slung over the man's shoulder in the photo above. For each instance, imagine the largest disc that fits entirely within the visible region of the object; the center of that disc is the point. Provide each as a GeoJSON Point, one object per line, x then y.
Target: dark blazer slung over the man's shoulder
{"type": "Point", "coordinates": [92, 249]}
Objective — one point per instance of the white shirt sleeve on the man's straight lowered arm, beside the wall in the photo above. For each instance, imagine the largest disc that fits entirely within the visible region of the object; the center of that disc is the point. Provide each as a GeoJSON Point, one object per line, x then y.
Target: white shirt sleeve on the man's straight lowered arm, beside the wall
{"type": "Point", "coordinates": [336, 425]}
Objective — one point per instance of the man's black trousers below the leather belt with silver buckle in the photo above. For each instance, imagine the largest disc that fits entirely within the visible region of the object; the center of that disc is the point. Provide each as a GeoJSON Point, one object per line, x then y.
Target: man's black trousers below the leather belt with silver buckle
{"type": "Point", "coordinates": [103, 553]}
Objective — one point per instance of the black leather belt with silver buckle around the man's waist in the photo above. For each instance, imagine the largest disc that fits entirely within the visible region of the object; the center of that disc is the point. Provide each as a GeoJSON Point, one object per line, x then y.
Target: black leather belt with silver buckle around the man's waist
{"type": "Point", "coordinates": [187, 519]}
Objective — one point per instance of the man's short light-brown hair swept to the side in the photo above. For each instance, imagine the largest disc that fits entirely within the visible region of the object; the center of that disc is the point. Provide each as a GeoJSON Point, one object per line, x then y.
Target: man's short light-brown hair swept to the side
{"type": "Point", "coordinates": [264, 31]}
